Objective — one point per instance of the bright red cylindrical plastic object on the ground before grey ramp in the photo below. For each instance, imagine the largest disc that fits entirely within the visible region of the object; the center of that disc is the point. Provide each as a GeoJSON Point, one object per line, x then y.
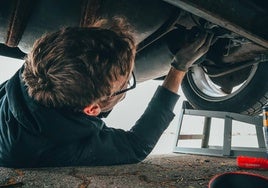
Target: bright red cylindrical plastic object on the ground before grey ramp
{"type": "Point", "coordinates": [252, 162]}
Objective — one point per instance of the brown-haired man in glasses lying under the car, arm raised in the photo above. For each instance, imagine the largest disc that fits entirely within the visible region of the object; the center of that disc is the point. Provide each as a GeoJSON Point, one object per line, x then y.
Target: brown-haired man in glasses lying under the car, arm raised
{"type": "Point", "coordinates": [51, 108]}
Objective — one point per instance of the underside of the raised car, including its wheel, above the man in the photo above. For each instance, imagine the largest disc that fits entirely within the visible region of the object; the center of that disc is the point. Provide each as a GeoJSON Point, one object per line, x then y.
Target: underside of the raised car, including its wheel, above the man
{"type": "Point", "coordinates": [231, 77]}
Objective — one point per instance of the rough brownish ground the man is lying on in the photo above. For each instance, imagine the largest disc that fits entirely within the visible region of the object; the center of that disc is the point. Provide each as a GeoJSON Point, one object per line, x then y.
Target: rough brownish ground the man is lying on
{"type": "Point", "coordinates": [175, 170]}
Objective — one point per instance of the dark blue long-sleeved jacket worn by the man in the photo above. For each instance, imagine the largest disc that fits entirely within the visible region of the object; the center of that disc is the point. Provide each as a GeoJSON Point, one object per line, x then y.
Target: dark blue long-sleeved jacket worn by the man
{"type": "Point", "coordinates": [35, 136]}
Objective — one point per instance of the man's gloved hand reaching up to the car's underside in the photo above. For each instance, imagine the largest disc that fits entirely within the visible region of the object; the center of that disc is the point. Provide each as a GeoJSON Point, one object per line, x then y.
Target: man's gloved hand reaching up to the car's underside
{"type": "Point", "coordinates": [187, 55]}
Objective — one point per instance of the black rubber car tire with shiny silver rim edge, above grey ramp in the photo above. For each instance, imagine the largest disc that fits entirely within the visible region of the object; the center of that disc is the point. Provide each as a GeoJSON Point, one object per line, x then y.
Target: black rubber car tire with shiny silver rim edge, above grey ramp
{"type": "Point", "coordinates": [248, 99]}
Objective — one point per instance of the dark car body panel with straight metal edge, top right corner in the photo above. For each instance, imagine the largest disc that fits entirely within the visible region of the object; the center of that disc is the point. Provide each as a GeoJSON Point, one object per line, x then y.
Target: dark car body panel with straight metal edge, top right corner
{"type": "Point", "coordinates": [238, 16]}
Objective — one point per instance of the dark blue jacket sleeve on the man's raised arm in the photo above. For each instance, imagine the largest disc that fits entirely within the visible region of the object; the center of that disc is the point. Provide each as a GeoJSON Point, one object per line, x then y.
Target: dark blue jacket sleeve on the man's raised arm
{"type": "Point", "coordinates": [115, 146]}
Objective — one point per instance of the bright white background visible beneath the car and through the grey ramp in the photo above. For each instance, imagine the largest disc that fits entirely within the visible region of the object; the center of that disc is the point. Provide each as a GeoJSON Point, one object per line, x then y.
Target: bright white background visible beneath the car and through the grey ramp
{"type": "Point", "coordinates": [128, 111]}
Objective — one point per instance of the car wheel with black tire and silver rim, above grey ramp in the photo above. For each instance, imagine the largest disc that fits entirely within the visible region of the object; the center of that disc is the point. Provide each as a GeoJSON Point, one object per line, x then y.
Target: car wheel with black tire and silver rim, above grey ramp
{"type": "Point", "coordinates": [246, 96]}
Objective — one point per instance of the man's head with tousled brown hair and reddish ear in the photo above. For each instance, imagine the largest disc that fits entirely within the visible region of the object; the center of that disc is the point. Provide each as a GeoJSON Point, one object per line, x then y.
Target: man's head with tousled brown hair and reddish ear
{"type": "Point", "coordinates": [79, 67]}
